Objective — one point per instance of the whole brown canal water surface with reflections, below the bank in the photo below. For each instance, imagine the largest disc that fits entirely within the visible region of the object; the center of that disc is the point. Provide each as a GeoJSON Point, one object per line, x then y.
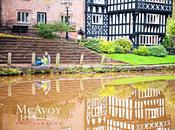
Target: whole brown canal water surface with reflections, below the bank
{"type": "Point", "coordinates": [121, 101]}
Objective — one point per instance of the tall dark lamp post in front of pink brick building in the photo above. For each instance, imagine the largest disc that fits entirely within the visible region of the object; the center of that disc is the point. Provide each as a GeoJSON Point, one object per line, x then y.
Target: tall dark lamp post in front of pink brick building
{"type": "Point", "coordinates": [67, 4]}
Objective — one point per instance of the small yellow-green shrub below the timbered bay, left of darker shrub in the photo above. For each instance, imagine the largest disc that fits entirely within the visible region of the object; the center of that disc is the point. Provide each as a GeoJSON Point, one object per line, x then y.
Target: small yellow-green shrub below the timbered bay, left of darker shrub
{"type": "Point", "coordinates": [142, 50]}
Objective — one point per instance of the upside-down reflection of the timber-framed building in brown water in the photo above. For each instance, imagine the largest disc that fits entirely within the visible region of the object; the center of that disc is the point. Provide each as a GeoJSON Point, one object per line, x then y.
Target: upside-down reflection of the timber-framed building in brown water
{"type": "Point", "coordinates": [143, 110]}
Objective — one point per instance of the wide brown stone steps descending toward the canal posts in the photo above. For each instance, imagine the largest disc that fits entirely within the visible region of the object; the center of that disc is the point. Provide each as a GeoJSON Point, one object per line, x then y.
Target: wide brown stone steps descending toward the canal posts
{"type": "Point", "coordinates": [22, 49]}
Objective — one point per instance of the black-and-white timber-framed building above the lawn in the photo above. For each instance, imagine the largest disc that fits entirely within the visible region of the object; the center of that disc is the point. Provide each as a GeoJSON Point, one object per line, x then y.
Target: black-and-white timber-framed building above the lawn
{"type": "Point", "coordinates": [142, 21]}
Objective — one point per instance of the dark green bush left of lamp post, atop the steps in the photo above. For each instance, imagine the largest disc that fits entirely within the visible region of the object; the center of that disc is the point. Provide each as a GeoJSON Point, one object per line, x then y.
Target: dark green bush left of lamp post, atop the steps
{"type": "Point", "coordinates": [46, 31]}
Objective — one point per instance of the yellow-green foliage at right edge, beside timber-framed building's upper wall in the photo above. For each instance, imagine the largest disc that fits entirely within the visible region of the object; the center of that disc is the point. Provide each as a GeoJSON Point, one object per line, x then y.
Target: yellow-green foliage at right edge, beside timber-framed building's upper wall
{"type": "Point", "coordinates": [171, 27]}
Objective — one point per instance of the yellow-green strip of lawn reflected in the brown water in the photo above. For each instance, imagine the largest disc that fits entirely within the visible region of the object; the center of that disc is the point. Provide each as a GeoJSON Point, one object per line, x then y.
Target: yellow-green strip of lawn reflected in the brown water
{"type": "Point", "coordinates": [133, 80]}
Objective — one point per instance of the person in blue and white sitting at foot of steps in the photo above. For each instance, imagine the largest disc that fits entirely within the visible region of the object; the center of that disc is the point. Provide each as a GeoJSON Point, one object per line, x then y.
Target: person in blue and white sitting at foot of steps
{"type": "Point", "coordinates": [46, 60]}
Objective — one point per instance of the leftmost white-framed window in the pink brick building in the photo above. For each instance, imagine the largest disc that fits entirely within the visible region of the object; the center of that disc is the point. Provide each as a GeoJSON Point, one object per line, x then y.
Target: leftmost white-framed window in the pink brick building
{"type": "Point", "coordinates": [23, 17]}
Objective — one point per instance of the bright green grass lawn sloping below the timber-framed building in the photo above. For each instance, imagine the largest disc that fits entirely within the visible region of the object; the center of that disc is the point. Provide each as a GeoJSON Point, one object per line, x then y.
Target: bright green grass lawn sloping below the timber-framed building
{"type": "Point", "coordinates": [142, 60]}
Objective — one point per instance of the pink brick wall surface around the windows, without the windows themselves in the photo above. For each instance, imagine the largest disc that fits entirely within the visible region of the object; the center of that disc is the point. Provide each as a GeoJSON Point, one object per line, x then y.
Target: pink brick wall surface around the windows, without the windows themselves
{"type": "Point", "coordinates": [53, 8]}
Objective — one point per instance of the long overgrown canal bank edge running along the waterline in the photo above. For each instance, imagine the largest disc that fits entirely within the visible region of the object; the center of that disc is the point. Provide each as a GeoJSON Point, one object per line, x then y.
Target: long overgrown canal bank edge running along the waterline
{"type": "Point", "coordinates": [71, 69]}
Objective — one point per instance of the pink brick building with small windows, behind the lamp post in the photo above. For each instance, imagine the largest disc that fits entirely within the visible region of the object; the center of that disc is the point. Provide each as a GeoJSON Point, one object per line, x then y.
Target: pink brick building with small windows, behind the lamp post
{"type": "Point", "coordinates": [32, 12]}
